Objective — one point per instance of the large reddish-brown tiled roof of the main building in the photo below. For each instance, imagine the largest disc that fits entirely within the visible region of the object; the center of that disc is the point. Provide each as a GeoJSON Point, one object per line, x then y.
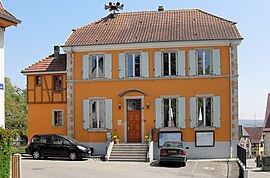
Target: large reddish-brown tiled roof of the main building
{"type": "Point", "coordinates": [154, 26]}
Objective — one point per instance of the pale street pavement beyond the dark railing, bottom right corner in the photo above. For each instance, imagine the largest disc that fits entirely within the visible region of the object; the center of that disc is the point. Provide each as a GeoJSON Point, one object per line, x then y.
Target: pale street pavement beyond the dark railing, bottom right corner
{"type": "Point", "coordinates": [255, 172]}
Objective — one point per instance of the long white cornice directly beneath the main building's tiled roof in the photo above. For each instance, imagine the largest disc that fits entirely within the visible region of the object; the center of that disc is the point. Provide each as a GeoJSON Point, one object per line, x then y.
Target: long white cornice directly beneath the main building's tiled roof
{"type": "Point", "coordinates": [164, 45]}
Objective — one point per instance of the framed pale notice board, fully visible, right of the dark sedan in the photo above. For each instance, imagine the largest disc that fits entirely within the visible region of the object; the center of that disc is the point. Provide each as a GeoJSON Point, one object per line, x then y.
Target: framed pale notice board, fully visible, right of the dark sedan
{"type": "Point", "coordinates": [205, 139]}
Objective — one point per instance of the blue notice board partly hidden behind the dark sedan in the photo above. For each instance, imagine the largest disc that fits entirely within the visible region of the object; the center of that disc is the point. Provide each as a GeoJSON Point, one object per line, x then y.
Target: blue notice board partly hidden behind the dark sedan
{"type": "Point", "coordinates": [168, 136]}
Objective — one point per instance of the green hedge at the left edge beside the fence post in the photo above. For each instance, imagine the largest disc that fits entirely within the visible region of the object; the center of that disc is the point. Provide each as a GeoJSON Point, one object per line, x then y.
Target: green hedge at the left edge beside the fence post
{"type": "Point", "coordinates": [5, 152]}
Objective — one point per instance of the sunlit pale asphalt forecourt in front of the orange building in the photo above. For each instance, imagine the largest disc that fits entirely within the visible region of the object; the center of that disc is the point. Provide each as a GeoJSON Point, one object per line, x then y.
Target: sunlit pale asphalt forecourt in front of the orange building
{"type": "Point", "coordinates": [94, 167]}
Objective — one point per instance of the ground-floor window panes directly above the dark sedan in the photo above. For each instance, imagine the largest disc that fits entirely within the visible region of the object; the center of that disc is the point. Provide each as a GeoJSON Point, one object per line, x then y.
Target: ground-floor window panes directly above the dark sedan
{"type": "Point", "coordinates": [169, 106]}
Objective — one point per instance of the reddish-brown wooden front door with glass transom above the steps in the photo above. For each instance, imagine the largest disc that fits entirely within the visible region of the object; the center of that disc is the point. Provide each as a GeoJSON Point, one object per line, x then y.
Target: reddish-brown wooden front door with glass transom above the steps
{"type": "Point", "coordinates": [134, 121]}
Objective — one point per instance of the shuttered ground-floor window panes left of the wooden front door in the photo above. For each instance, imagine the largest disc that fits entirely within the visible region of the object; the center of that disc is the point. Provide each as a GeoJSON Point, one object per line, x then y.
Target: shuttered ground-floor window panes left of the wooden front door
{"type": "Point", "coordinates": [97, 113]}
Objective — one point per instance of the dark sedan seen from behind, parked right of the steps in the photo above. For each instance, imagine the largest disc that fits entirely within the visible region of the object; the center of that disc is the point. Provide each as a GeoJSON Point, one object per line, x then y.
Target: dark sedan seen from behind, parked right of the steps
{"type": "Point", "coordinates": [173, 151]}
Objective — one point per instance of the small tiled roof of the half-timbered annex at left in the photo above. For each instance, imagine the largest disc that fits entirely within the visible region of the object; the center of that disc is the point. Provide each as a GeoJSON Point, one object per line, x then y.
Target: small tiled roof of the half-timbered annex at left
{"type": "Point", "coordinates": [48, 64]}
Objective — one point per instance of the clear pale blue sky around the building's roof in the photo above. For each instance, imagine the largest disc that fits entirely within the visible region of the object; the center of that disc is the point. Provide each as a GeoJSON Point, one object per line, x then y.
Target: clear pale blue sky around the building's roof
{"type": "Point", "coordinates": [46, 23]}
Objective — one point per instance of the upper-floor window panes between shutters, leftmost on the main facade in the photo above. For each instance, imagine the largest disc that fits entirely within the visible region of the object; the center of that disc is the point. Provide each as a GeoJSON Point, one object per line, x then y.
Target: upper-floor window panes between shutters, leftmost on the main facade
{"type": "Point", "coordinates": [96, 66]}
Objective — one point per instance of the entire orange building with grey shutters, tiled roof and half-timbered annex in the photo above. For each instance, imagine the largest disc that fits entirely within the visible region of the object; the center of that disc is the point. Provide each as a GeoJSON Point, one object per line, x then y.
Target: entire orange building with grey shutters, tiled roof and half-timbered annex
{"type": "Point", "coordinates": [172, 73]}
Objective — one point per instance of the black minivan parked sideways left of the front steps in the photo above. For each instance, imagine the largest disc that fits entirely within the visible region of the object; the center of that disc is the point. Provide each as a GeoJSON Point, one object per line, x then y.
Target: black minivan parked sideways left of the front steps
{"type": "Point", "coordinates": [53, 145]}
